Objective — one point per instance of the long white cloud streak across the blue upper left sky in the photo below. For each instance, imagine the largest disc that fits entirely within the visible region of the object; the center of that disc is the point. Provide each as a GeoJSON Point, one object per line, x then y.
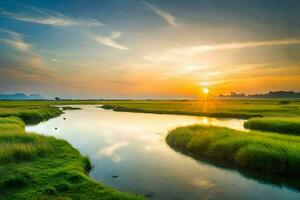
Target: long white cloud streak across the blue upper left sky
{"type": "Point", "coordinates": [47, 17]}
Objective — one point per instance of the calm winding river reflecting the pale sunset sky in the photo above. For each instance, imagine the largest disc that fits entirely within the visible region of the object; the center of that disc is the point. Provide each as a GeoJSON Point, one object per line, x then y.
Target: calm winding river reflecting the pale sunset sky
{"type": "Point", "coordinates": [129, 153]}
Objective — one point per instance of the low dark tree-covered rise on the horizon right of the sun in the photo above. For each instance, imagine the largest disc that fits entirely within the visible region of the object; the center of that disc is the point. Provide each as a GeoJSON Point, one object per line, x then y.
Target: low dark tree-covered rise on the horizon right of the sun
{"type": "Point", "coordinates": [272, 94]}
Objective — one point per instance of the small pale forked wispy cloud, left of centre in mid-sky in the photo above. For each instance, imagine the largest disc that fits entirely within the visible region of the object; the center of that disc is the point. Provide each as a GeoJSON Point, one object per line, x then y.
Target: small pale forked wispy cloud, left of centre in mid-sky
{"type": "Point", "coordinates": [110, 41]}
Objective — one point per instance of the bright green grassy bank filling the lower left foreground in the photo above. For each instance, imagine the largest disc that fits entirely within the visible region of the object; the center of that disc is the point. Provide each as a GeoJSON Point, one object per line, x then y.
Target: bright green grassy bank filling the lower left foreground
{"type": "Point", "coordinates": [39, 167]}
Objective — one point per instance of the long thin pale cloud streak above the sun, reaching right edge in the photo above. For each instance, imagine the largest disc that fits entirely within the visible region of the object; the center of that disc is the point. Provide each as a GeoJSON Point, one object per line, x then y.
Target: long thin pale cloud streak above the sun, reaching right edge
{"type": "Point", "coordinates": [235, 45]}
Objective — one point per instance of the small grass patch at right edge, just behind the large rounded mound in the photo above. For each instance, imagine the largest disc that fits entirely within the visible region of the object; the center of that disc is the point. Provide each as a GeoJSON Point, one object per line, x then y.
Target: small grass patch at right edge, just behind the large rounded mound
{"type": "Point", "coordinates": [280, 125]}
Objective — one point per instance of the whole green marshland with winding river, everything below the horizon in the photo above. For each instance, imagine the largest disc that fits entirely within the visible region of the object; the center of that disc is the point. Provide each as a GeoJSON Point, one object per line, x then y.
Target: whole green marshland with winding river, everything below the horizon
{"type": "Point", "coordinates": [90, 146]}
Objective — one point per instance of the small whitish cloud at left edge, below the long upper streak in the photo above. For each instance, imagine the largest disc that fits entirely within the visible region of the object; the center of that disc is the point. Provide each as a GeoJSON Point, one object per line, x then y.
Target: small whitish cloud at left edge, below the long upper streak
{"type": "Point", "coordinates": [15, 40]}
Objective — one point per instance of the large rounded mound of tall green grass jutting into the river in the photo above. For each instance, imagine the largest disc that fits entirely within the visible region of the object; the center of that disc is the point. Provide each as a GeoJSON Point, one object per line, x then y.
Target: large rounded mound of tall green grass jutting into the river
{"type": "Point", "coordinates": [259, 151]}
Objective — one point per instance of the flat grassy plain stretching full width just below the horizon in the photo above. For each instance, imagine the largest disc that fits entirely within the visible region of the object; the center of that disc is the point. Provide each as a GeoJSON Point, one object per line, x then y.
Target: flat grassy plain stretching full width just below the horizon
{"type": "Point", "coordinates": [238, 108]}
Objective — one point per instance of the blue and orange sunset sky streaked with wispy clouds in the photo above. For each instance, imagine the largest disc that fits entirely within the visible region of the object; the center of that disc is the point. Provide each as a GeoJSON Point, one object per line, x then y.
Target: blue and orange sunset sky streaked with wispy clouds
{"type": "Point", "coordinates": [148, 49]}
